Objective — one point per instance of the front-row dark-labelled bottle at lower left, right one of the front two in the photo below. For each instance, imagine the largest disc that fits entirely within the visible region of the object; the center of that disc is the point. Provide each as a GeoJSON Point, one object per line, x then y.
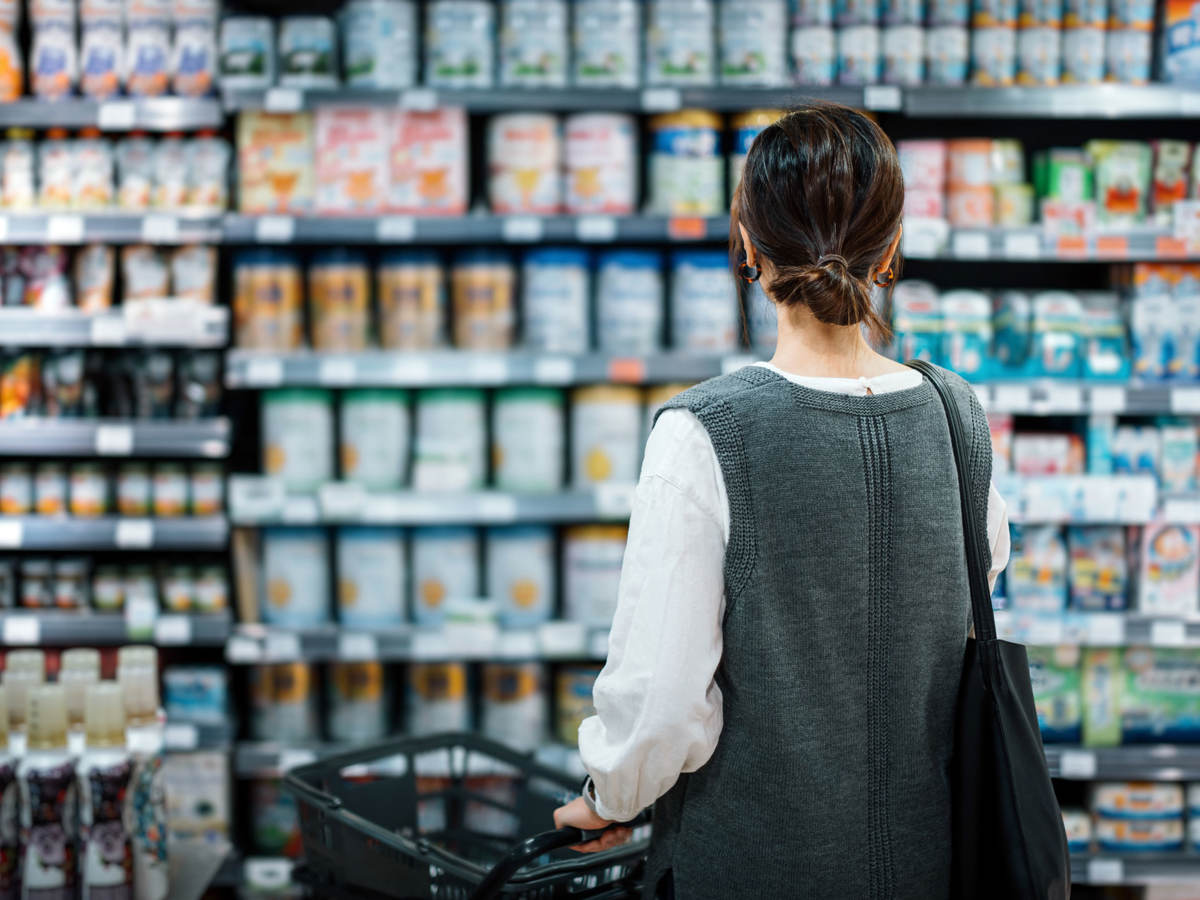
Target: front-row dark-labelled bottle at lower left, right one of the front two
{"type": "Point", "coordinates": [104, 775]}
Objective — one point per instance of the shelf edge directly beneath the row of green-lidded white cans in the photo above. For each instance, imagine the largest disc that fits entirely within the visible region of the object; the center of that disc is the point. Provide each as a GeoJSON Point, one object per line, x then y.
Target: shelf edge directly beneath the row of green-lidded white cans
{"type": "Point", "coordinates": [256, 501]}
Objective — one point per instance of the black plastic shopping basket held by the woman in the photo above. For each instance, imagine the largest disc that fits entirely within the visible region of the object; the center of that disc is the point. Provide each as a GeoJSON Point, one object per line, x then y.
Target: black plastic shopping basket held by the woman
{"type": "Point", "coordinates": [445, 818]}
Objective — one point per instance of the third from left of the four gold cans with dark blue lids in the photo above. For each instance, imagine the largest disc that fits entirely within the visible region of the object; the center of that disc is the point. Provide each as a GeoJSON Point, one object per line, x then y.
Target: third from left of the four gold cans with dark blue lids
{"type": "Point", "coordinates": [412, 302]}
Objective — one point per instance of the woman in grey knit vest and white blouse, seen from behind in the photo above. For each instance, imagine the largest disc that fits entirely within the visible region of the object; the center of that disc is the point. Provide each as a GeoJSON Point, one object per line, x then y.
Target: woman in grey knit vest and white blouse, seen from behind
{"type": "Point", "coordinates": [794, 605]}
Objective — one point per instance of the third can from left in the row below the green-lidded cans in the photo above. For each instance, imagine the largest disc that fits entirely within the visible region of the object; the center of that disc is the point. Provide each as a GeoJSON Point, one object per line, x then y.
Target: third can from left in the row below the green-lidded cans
{"type": "Point", "coordinates": [446, 567]}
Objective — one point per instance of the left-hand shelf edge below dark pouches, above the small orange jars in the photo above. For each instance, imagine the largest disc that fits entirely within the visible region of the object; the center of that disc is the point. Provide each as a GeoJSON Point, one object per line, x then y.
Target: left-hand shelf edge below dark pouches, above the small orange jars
{"type": "Point", "coordinates": [207, 439]}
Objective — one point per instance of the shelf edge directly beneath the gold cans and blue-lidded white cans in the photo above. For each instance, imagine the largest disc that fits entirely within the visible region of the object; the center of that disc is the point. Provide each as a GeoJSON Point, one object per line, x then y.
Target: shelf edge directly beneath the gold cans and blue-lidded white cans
{"type": "Point", "coordinates": [393, 369]}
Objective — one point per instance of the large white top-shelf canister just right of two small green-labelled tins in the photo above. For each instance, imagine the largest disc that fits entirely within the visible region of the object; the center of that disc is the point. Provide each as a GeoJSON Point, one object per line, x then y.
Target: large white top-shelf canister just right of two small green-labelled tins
{"type": "Point", "coordinates": [380, 44]}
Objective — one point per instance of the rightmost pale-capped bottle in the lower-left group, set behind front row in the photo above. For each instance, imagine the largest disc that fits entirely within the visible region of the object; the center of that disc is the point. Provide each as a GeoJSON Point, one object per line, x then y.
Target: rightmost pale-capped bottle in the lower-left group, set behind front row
{"type": "Point", "coordinates": [137, 671]}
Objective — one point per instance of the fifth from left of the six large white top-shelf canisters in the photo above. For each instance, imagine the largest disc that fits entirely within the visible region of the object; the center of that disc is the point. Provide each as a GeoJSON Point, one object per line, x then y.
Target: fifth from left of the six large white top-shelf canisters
{"type": "Point", "coordinates": [680, 43]}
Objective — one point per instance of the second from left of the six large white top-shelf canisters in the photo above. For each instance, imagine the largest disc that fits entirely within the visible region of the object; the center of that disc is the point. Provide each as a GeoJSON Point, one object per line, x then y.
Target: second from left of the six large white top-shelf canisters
{"type": "Point", "coordinates": [460, 44]}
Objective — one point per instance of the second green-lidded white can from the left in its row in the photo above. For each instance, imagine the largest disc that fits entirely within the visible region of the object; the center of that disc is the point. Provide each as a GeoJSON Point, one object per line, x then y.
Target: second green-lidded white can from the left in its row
{"type": "Point", "coordinates": [375, 427]}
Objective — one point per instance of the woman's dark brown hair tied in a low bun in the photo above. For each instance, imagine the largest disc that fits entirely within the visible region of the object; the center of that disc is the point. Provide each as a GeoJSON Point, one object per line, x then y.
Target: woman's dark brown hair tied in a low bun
{"type": "Point", "coordinates": [821, 197]}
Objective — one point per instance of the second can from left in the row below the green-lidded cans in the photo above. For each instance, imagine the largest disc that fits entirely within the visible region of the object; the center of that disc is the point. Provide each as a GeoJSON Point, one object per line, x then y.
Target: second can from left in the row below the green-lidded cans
{"type": "Point", "coordinates": [371, 577]}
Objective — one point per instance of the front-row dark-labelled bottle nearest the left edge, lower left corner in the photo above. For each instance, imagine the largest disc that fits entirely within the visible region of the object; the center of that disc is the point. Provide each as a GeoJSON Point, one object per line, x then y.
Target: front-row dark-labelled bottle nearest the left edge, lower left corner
{"type": "Point", "coordinates": [46, 779]}
